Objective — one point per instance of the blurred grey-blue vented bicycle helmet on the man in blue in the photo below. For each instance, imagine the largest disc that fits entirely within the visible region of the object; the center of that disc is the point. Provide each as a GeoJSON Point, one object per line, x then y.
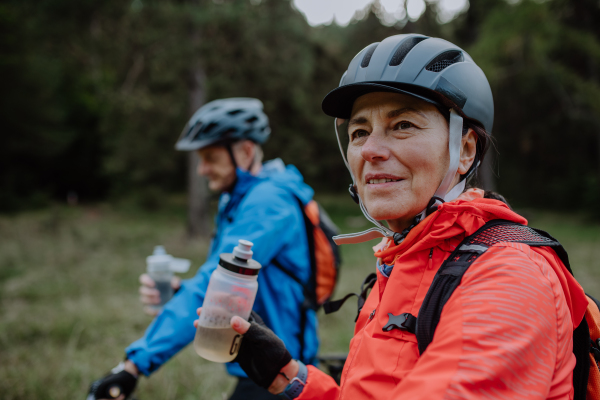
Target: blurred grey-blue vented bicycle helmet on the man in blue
{"type": "Point", "coordinates": [225, 121]}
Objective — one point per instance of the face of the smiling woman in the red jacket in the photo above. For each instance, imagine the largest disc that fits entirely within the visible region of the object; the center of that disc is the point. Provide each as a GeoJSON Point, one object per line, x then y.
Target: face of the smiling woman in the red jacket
{"type": "Point", "coordinates": [398, 153]}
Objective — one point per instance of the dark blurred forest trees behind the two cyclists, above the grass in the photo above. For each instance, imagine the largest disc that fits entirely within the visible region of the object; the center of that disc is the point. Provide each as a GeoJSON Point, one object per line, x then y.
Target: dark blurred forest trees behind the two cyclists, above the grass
{"type": "Point", "coordinates": [96, 93]}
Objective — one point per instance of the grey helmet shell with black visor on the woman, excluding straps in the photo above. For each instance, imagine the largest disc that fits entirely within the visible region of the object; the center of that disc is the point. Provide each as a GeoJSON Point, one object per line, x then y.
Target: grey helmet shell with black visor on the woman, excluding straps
{"type": "Point", "coordinates": [432, 69]}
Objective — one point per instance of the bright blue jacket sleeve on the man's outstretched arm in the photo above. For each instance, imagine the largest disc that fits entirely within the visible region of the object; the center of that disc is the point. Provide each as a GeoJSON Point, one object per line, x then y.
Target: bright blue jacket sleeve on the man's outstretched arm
{"type": "Point", "coordinates": [263, 217]}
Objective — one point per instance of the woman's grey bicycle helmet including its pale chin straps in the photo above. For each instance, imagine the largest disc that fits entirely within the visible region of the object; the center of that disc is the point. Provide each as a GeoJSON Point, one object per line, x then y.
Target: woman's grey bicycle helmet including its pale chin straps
{"type": "Point", "coordinates": [433, 70]}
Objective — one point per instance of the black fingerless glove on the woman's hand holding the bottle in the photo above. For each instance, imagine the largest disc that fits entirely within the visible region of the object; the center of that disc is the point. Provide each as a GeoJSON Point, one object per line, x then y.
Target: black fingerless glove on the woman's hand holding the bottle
{"type": "Point", "coordinates": [262, 354]}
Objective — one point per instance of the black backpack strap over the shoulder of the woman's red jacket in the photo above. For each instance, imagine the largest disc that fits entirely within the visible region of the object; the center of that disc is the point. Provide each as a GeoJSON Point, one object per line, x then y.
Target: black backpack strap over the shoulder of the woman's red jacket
{"type": "Point", "coordinates": [452, 270]}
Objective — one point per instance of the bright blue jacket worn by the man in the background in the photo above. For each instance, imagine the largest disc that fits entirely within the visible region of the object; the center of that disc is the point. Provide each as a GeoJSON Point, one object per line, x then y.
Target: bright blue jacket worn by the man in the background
{"type": "Point", "coordinates": [264, 210]}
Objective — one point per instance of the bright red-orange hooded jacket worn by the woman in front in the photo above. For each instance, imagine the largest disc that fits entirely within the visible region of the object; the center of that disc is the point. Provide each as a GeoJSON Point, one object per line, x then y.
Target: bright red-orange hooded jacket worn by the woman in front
{"type": "Point", "coordinates": [505, 333]}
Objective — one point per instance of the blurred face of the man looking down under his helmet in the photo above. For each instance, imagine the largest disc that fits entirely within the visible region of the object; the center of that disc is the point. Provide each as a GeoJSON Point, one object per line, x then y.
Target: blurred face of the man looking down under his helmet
{"type": "Point", "coordinates": [215, 164]}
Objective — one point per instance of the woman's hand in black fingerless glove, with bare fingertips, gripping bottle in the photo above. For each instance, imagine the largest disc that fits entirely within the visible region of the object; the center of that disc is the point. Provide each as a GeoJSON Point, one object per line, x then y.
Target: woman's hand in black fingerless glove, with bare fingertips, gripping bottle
{"type": "Point", "coordinates": [262, 354]}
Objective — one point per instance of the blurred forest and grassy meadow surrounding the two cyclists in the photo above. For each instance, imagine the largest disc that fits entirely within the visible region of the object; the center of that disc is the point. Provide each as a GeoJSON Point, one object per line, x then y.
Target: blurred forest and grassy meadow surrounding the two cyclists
{"type": "Point", "coordinates": [95, 93]}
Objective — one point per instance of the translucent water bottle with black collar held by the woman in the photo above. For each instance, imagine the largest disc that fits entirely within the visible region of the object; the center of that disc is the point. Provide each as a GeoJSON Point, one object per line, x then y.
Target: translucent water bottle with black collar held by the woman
{"type": "Point", "coordinates": [231, 291]}
